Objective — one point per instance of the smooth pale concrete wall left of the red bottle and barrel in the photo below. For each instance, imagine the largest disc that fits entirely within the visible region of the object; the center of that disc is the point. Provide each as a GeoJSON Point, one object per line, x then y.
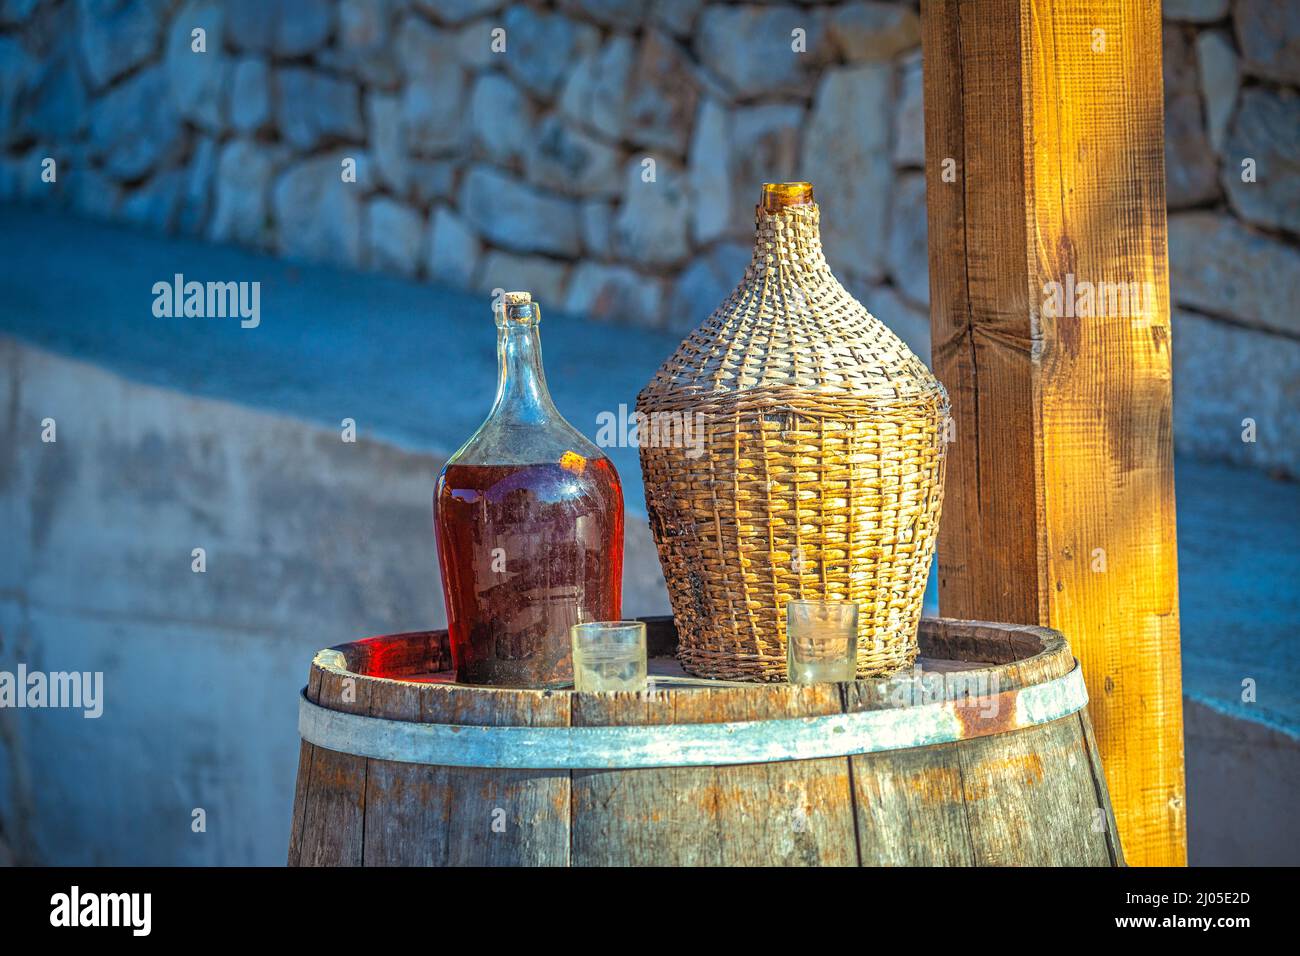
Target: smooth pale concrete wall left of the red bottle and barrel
{"type": "Point", "coordinates": [201, 669]}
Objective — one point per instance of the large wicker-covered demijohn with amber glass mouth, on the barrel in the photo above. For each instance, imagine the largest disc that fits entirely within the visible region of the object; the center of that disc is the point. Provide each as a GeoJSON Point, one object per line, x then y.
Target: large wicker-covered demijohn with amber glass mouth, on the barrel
{"type": "Point", "coordinates": [822, 465]}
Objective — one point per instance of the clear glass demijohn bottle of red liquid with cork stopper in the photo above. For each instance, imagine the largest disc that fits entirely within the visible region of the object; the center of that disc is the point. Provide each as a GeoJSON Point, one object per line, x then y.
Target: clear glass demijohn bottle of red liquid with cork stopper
{"type": "Point", "coordinates": [530, 525]}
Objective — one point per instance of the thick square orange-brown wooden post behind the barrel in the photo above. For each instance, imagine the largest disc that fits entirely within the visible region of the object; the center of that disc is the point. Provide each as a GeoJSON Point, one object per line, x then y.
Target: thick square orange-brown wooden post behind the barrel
{"type": "Point", "coordinates": [1045, 165]}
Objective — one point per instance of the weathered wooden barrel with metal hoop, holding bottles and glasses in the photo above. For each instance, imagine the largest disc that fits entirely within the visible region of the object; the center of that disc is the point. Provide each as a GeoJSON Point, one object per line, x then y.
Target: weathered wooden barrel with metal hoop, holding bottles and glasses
{"type": "Point", "coordinates": [982, 756]}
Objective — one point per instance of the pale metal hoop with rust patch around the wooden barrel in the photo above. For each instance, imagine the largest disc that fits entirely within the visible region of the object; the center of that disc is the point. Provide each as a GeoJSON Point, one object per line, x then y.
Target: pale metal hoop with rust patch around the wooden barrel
{"type": "Point", "coordinates": [692, 745]}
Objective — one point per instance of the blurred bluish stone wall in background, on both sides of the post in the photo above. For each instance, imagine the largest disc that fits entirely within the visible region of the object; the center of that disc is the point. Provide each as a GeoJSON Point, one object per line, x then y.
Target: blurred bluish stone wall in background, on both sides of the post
{"type": "Point", "coordinates": [531, 167]}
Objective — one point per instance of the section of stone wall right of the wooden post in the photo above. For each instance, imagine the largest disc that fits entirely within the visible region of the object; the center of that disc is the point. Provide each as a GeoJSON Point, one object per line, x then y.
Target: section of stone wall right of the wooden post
{"type": "Point", "coordinates": [1232, 148]}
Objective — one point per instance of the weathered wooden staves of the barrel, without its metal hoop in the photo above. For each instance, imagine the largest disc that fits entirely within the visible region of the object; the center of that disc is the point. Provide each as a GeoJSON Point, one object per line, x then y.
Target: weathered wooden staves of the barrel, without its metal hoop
{"type": "Point", "coordinates": [1033, 795]}
